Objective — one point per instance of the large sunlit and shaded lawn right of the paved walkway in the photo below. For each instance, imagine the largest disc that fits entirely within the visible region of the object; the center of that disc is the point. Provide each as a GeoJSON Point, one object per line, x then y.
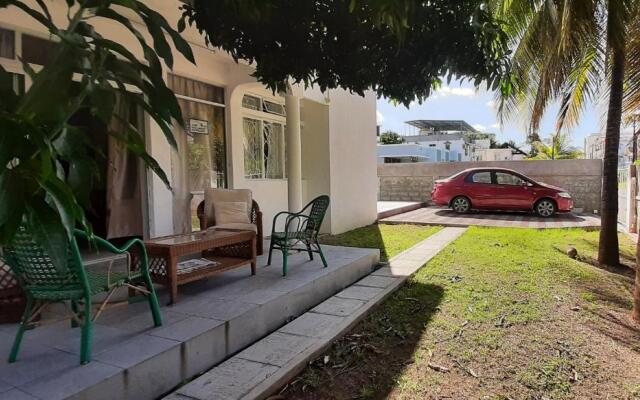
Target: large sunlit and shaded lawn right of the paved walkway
{"type": "Point", "coordinates": [499, 314]}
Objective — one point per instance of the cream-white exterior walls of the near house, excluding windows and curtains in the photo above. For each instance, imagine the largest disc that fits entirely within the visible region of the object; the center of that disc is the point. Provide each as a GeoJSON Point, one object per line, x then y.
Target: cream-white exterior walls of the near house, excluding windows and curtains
{"type": "Point", "coordinates": [348, 156]}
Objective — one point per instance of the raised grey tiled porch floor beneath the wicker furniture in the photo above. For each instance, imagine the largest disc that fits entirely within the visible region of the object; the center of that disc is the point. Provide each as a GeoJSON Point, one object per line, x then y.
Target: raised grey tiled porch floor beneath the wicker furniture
{"type": "Point", "coordinates": [212, 320]}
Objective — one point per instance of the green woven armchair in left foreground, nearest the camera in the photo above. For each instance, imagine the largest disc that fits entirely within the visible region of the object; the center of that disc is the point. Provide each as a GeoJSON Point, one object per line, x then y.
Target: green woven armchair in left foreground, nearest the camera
{"type": "Point", "coordinates": [44, 284]}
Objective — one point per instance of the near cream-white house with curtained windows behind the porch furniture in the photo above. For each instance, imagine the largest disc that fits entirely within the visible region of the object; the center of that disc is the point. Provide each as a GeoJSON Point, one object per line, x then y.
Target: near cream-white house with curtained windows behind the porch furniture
{"type": "Point", "coordinates": [287, 148]}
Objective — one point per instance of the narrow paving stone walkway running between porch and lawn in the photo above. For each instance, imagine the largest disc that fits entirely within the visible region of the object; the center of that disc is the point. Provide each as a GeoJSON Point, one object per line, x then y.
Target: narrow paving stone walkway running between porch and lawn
{"type": "Point", "coordinates": [264, 367]}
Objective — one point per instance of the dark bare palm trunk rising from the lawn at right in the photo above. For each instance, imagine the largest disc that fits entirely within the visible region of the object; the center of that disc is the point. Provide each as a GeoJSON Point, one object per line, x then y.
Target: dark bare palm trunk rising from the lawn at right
{"type": "Point", "coordinates": [608, 252]}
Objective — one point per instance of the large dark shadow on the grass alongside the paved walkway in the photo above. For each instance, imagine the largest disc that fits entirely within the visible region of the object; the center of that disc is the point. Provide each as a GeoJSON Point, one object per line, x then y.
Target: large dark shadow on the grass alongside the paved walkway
{"type": "Point", "coordinates": [368, 361]}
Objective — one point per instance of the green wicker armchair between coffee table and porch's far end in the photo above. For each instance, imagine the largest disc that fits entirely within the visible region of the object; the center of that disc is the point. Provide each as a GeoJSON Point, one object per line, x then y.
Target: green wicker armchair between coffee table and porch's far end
{"type": "Point", "coordinates": [300, 229]}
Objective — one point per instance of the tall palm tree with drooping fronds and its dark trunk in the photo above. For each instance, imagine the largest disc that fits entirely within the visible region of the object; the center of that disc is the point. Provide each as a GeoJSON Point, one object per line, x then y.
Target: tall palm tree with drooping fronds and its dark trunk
{"type": "Point", "coordinates": [574, 52]}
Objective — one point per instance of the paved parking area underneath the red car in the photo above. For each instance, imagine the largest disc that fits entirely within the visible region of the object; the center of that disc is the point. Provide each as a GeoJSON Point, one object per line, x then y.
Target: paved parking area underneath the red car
{"type": "Point", "coordinates": [446, 217]}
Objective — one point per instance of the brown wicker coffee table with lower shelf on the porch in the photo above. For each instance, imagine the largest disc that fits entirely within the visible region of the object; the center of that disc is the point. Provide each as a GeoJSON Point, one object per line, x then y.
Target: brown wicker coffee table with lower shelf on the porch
{"type": "Point", "coordinates": [179, 259]}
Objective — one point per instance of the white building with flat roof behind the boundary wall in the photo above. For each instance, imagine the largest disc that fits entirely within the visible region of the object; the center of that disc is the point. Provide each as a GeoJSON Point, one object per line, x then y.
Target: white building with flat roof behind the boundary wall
{"type": "Point", "coordinates": [437, 141]}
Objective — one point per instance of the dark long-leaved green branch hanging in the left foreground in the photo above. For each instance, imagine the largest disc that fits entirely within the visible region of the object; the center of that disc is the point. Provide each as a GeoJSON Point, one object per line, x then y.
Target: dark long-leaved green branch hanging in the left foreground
{"type": "Point", "coordinates": [47, 162]}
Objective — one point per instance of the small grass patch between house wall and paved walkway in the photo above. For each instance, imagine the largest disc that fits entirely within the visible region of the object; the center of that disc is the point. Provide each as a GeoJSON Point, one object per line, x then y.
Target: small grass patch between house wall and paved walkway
{"type": "Point", "coordinates": [390, 239]}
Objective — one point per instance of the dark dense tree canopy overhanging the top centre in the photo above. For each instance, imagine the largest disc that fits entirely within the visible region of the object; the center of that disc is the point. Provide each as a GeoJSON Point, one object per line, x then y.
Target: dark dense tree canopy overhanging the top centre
{"type": "Point", "coordinates": [400, 49]}
